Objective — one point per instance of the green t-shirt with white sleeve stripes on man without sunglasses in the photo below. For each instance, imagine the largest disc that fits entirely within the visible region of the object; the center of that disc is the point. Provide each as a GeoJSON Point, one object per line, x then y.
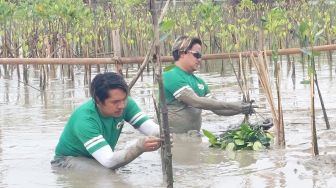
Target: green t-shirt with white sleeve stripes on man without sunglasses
{"type": "Point", "coordinates": [87, 130]}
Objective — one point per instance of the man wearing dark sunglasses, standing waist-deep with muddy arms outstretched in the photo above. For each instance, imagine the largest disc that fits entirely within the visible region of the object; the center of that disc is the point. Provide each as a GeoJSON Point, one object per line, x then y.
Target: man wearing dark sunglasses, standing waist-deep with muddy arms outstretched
{"type": "Point", "coordinates": [187, 94]}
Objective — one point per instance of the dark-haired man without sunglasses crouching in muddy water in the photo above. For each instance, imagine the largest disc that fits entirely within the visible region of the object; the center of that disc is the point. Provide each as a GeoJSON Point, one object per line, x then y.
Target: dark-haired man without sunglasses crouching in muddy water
{"type": "Point", "coordinates": [93, 129]}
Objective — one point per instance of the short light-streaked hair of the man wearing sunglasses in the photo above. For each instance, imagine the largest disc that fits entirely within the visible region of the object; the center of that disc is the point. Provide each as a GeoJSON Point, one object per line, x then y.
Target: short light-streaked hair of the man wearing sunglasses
{"type": "Point", "coordinates": [182, 44]}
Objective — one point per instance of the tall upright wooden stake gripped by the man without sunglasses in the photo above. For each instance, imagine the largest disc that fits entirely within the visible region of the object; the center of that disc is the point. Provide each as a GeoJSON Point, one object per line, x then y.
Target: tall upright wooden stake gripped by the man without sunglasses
{"type": "Point", "coordinates": [166, 146]}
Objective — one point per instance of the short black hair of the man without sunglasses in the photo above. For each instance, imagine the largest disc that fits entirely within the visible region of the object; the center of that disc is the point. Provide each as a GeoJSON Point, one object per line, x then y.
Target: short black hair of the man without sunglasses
{"type": "Point", "coordinates": [102, 83]}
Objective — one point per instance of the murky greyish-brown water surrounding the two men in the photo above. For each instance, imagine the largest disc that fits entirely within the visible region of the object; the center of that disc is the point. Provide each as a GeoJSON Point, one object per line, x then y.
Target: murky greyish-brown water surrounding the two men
{"type": "Point", "coordinates": [31, 122]}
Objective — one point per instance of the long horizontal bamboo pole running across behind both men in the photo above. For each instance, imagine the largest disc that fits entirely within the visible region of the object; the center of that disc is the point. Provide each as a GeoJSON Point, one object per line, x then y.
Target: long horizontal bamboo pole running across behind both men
{"type": "Point", "coordinates": [138, 60]}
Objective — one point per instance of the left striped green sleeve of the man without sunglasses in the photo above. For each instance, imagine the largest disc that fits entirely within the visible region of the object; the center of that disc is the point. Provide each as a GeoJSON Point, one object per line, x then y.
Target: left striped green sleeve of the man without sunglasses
{"type": "Point", "coordinates": [90, 135]}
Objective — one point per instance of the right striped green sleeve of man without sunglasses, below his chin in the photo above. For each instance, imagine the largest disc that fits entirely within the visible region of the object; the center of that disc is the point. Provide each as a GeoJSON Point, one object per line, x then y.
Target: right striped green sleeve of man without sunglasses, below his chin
{"type": "Point", "coordinates": [133, 114]}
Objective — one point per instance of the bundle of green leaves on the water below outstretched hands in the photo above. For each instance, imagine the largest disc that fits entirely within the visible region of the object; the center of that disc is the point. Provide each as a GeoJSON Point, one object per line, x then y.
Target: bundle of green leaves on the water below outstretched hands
{"type": "Point", "coordinates": [246, 137]}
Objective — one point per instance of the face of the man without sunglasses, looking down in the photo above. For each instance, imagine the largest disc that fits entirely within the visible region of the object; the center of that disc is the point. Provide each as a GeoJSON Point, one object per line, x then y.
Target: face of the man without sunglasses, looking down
{"type": "Point", "coordinates": [115, 104]}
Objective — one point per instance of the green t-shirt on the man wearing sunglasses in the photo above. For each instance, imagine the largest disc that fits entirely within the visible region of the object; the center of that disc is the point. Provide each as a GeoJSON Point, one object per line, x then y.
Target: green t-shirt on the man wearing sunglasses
{"type": "Point", "coordinates": [176, 79]}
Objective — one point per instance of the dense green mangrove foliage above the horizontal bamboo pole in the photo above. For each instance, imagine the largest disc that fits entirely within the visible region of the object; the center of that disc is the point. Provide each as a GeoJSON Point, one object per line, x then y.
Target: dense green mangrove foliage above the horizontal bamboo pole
{"type": "Point", "coordinates": [71, 28]}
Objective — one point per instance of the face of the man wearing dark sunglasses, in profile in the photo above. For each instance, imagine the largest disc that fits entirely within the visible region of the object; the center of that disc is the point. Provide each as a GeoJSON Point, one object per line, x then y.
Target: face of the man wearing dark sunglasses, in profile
{"type": "Point", "coordinates": [192, 58]}
